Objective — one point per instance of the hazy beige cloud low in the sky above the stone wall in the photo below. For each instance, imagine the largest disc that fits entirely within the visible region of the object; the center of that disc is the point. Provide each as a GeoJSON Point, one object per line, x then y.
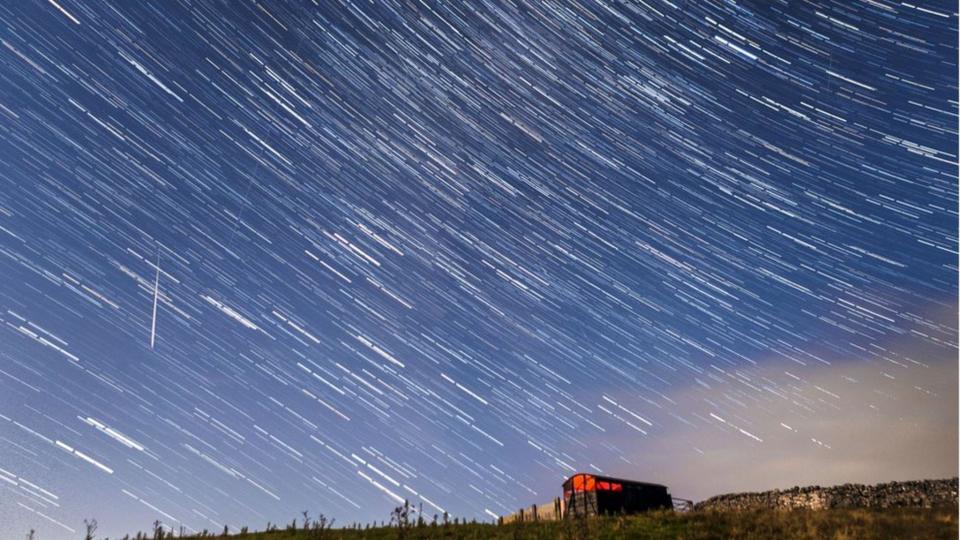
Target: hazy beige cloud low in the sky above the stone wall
{"type": "Point", "coordinates": [889, 415]}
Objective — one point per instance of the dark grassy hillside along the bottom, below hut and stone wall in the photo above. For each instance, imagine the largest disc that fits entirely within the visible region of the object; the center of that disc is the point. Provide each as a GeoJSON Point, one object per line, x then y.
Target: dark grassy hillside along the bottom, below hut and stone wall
{"type": "Point", "coordinates": [835, 523]}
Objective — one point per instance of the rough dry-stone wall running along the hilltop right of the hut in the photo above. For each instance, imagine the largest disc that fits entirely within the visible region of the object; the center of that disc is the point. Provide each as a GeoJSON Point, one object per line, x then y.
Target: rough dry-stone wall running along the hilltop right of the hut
{"type": "Point", "coordinates": [919, 493]}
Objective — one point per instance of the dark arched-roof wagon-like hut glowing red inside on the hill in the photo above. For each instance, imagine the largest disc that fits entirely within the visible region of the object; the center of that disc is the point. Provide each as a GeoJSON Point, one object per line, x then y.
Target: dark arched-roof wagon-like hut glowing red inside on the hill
{"type": "Point", "coordinates": [590, 495]}
